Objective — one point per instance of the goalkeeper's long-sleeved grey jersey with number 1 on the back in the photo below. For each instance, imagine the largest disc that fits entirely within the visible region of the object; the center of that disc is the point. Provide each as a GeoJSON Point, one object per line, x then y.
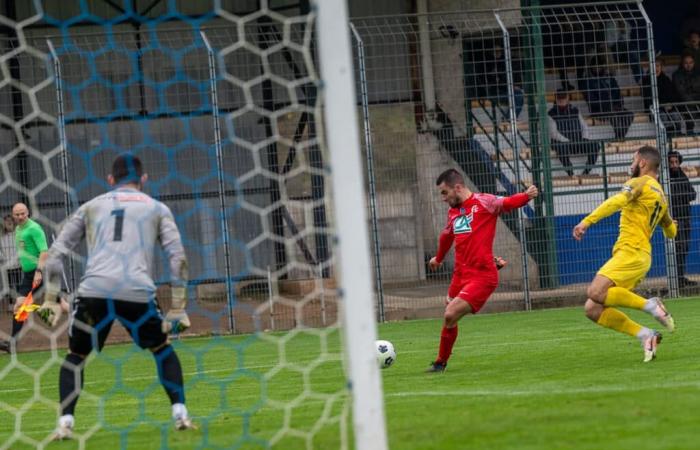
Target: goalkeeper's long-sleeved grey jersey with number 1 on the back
{"type": "Point", "coordinates": [121, 229]}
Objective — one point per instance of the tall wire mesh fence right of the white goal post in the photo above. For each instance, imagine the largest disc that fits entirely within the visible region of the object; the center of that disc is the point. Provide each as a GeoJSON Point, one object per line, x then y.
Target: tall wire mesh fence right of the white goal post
{"type": "Point", "coordinates": [559, 96]}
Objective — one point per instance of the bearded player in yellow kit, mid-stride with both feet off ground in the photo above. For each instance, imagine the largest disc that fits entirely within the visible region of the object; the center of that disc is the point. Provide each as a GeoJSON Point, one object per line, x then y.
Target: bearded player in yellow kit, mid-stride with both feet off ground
{"type": "Point", "coordinates": [643, 206]}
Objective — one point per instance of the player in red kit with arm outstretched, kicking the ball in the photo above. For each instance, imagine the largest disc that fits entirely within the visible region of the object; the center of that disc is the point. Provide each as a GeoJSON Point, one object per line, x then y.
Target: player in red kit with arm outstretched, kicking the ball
{"type": "Point", "coordinates": [471, 225]}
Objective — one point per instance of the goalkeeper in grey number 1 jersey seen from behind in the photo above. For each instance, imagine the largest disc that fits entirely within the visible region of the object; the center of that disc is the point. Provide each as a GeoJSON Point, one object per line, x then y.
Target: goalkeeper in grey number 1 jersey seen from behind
{"type": "Point", "coordinates": [121, 228]}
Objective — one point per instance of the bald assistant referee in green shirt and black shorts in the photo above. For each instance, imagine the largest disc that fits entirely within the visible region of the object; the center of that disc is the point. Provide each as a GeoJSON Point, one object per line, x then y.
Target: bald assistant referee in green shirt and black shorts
{"type": "Point", "coordinates": [31, 248]}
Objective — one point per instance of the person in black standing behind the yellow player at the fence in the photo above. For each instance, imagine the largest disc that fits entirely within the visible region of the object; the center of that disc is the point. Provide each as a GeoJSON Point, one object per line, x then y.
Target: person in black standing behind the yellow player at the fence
{"type": "Point", "coordinates": [682, 194]}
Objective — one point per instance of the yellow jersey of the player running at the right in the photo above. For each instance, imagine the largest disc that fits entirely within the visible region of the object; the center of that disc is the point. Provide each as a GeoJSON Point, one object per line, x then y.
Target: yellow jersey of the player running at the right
{"type": "Point", "coordinates": [643, 206]}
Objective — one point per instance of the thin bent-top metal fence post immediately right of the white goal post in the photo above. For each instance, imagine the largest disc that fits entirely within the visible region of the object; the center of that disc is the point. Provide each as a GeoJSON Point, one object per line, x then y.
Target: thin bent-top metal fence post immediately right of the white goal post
{"type": "Point", "coordinates": [370, 172]}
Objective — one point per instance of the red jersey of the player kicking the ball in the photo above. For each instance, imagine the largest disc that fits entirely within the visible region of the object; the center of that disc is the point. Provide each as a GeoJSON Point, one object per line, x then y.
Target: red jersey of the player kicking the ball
{"type": "Point", "coordinates": [472, 227]}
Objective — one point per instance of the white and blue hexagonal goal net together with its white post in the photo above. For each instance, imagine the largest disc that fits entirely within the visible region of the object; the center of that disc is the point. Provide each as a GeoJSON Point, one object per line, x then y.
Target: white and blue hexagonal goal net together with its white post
{"type": "Point", "coordinates": [240, 112]}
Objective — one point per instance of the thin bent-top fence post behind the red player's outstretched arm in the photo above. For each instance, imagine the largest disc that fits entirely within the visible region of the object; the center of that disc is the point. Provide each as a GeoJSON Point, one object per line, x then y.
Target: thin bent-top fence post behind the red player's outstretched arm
{"type": "Point", "coordinates": [516, 156]}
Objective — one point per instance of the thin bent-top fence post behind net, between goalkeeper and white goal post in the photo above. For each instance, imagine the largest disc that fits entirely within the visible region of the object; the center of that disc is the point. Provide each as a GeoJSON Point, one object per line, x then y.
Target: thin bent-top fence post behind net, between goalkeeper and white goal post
{"type": "Point", "coordinates": [220, 177]}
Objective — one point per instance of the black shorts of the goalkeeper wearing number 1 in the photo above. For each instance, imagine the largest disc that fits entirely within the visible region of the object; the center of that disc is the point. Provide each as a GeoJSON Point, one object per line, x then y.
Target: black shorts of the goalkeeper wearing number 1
{"type": "Point", "coordinates": [92, 318]}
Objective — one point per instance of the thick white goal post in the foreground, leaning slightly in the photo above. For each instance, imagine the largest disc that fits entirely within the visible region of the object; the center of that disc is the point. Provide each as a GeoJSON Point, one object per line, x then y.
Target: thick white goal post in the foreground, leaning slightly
{"type": "Point", "coordinates": [342, 138]}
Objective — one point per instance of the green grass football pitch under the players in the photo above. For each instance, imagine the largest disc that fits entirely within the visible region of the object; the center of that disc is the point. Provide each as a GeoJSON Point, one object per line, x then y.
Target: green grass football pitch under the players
{"type": "Point", "coordinates": [541, 380]}
